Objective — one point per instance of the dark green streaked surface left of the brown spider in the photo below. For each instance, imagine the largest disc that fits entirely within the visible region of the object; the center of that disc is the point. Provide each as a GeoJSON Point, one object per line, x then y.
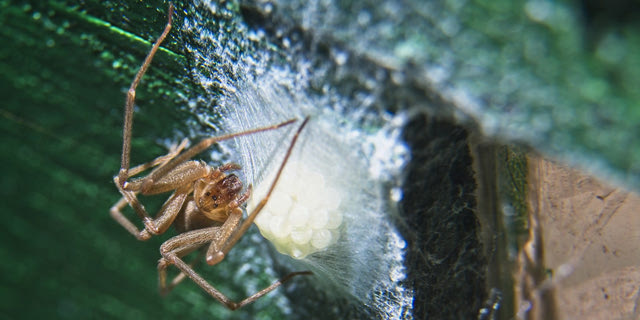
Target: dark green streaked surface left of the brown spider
{"type": "Point", "coordinates": [64, 66]}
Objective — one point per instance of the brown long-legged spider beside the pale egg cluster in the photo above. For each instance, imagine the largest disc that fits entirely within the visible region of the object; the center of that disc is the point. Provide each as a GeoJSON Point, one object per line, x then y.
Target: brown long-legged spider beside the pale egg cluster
{"type": "Point", "coordinates": [205, 207]}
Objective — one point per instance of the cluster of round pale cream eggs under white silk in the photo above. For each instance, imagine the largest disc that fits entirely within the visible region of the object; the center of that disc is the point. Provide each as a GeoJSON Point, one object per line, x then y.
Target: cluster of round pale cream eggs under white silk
{"type": "Point", "coordinates": [302, 215]}
